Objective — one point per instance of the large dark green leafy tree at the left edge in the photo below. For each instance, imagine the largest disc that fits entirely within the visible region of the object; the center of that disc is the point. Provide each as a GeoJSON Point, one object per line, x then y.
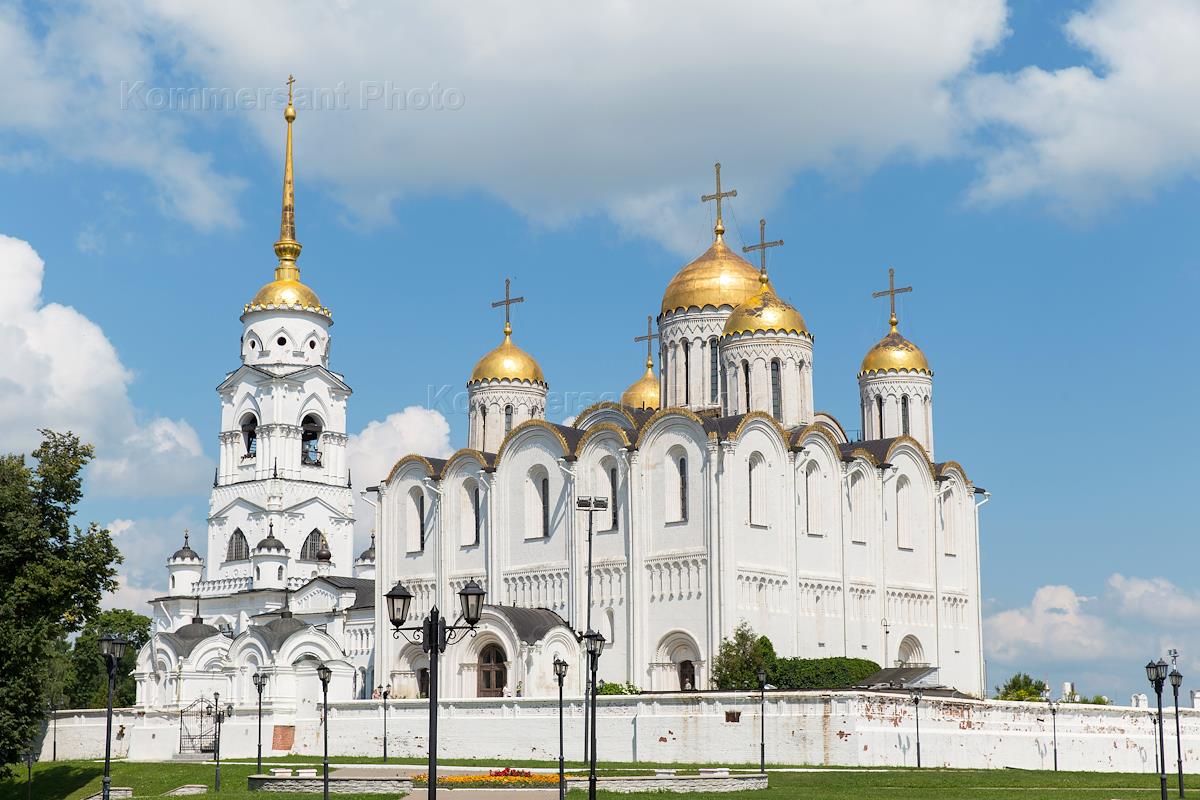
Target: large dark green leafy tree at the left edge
{"type": "Point", "coordinates": [52, 579]}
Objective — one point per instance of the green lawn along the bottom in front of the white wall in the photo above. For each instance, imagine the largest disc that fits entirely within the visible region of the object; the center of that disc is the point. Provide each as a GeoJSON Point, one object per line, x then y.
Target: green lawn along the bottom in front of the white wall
{"type": "Point", "coordinates": [77, 780]}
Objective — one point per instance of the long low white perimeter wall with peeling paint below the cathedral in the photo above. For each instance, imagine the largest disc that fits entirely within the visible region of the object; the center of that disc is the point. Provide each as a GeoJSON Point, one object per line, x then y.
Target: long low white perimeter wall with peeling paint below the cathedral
{"type": "Point", "coordinates": [866, 730]}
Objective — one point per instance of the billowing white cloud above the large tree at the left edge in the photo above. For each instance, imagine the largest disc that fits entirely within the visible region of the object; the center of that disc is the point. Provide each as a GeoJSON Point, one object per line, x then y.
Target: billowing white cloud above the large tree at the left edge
{"type": "Point", "coordinates": [61, 371]}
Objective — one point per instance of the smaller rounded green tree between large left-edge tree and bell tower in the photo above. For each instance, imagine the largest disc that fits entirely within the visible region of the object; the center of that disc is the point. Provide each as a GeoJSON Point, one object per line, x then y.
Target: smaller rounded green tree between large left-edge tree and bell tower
{"type": "Point", "coordinates": [88, 683]}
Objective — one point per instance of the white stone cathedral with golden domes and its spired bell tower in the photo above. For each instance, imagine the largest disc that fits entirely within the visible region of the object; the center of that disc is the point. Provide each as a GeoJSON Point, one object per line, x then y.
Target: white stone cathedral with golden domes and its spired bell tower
{"type": "Point", "coordinates": [730, 497]}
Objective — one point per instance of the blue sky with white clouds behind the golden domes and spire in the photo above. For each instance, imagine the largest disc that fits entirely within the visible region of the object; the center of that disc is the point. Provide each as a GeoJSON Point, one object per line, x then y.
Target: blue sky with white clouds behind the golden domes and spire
{"type": "Point", "coordinates": [1029, 169]}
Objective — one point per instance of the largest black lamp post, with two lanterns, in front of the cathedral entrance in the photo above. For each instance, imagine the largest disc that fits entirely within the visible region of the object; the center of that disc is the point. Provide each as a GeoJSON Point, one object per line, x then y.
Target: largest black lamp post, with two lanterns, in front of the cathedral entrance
{"type": "Point", "coordinates": [434, 635]}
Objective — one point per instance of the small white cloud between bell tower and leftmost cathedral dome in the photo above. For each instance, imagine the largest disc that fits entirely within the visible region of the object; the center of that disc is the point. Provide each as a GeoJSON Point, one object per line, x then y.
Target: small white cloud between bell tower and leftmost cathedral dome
{"type": "Point", "coordinates": [382, 443]}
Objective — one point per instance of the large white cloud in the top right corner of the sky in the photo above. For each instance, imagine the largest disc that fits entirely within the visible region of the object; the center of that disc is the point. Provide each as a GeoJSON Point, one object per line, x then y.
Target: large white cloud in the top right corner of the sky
{"type": "Point", "coordinates": [1088, 136]}
